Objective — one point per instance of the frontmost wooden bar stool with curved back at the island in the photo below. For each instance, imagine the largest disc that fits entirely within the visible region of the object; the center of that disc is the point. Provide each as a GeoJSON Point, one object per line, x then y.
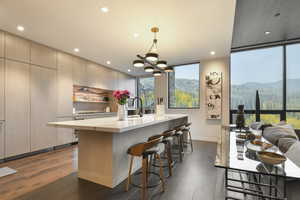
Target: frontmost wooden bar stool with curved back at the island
{"type": "Point", "coordinates": [145, 150]}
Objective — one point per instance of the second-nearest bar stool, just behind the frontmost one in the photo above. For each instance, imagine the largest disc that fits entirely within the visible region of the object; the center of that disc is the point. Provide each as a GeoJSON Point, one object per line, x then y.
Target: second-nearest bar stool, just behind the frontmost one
{"type": "Point", "coordinates": [167, 141]}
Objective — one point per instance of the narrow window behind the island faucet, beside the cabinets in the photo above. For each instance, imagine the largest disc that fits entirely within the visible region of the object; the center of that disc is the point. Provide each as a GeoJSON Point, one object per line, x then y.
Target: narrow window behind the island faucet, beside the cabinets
{"type": "Point", "coordinates": [146, 92]}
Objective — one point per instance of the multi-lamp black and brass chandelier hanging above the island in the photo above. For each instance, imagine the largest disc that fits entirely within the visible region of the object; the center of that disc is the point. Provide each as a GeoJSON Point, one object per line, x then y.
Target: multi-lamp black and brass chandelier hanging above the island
{"type": "Point", "coordinates": [152, 58]}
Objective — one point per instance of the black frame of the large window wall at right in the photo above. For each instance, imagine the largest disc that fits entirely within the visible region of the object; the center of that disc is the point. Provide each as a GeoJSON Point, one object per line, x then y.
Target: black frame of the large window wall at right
{"type": "Point", "coordinates": [283, 112]}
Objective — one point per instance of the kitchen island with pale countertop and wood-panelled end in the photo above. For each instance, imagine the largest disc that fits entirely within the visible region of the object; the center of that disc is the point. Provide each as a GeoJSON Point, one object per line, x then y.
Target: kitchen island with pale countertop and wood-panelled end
{"type": "Point", "coordinates": [103, 144]}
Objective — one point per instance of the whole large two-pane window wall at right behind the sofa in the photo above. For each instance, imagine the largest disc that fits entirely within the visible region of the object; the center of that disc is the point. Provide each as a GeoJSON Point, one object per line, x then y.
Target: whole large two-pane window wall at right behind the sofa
{"type": "Point", "coordinates": [275, 73]}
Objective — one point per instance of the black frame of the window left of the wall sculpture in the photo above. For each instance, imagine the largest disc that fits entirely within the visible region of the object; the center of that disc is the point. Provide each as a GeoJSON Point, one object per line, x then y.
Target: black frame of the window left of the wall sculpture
{"type": "Point", "coordinates": [185, 108]}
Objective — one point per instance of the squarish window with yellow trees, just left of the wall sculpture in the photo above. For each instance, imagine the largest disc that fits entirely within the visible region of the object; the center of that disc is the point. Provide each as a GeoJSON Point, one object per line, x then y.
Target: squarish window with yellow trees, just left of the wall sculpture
{"type": "Point", "coordinates": [183, 85]}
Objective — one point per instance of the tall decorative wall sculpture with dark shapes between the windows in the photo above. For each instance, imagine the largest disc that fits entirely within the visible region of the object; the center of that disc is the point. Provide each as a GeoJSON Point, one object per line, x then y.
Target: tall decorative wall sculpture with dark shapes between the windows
{"type": "Point", "coordinates": [213, 82]}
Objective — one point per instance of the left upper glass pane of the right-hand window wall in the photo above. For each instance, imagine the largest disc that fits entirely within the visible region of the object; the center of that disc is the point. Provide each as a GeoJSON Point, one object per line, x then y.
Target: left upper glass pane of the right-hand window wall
{"type": "Point", "coordinates": [257, 70]}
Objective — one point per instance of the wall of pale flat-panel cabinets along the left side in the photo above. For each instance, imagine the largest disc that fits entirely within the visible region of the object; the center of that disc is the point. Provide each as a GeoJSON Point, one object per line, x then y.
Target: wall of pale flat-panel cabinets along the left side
{"type": "Point", "coordinates": [36, 87]}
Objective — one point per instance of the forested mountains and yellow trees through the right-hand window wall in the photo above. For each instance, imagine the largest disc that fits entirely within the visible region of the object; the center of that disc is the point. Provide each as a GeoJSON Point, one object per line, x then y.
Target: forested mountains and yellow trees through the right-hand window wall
{"type": "Point", "coordinates": [270, 99]}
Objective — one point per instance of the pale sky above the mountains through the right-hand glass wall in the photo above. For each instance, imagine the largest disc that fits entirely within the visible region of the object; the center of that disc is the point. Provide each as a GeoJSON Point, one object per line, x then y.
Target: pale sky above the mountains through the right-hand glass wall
{"type": "Point", "coordinates": [264, 65]}
